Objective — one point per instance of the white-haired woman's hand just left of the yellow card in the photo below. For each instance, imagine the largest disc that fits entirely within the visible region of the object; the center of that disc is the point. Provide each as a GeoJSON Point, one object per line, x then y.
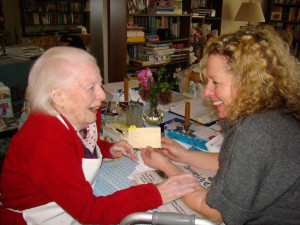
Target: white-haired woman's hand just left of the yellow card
{"type": "Point", "coordinates": [122, 148]}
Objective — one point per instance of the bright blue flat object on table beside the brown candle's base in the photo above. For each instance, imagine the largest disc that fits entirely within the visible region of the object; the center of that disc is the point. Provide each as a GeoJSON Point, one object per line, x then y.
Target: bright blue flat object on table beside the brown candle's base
{"type": "Point", "coordinates": [196, 142]}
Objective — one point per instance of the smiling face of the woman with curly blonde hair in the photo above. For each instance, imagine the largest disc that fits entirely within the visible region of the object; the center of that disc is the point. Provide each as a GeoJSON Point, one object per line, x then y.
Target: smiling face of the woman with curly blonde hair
{"type": "Point", "coordinates": [220, 86]}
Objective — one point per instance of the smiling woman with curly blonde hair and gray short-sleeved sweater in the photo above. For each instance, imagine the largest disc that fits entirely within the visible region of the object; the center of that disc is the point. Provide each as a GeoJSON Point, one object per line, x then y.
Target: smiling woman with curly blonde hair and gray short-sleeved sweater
{"type": "Point", "coordinates": [254, 83]}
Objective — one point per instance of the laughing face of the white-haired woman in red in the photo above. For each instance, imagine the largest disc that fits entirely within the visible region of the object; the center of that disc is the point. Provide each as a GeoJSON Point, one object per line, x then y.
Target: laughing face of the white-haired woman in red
{"type": "Point", "coordinates": [84, 97]}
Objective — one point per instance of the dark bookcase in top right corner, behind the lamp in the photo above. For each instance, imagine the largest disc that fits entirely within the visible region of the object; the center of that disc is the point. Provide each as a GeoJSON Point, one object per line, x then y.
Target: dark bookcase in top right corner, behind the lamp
{"type": "Point", "coordinates": [285, 15]}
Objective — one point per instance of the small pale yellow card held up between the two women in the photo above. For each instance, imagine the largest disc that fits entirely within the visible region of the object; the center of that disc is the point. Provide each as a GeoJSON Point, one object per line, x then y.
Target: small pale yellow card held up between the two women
{"type": "Point", "coordinates": [143, 137]}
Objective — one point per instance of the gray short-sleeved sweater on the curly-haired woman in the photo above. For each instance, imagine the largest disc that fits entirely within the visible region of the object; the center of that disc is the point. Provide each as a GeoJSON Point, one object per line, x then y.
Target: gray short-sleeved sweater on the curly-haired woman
{"type": "Point", "coordinates": [258, 179]}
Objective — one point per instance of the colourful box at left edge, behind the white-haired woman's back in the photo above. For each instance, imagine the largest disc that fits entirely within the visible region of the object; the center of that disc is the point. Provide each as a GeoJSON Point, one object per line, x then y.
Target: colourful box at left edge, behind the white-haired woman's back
{"type": "Point", "coordinates": [5, 102]}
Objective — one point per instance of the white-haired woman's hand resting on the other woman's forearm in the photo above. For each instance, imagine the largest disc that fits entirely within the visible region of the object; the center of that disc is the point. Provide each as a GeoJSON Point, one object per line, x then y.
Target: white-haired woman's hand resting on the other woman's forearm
{"type": "Point", "coordinates": [177, 186]}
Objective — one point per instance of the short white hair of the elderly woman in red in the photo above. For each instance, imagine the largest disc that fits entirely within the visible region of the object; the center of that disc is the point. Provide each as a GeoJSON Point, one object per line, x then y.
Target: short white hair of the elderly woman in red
{"type": "Point", "coordinates": [54, 69]}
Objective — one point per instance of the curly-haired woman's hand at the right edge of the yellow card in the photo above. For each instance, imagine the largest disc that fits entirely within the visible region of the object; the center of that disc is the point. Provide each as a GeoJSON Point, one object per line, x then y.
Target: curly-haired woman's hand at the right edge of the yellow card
{"type": "Point", "coordinates": [173, 150]}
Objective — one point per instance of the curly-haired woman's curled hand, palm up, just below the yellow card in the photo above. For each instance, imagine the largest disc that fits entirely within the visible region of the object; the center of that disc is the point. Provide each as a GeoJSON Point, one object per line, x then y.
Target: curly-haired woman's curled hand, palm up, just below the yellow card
{"type": "Point", "coordinates": [154, 159]}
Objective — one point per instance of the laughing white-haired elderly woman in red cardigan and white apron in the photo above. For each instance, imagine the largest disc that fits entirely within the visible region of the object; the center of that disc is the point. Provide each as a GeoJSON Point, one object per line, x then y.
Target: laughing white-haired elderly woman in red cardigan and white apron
{"type": "Point", "coordinates": [53, 161]}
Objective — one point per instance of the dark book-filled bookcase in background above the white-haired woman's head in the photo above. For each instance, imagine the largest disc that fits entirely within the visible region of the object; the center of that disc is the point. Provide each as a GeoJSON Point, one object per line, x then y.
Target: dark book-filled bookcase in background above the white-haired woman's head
{"type": "Point", "coordinates": [41, 17]}
